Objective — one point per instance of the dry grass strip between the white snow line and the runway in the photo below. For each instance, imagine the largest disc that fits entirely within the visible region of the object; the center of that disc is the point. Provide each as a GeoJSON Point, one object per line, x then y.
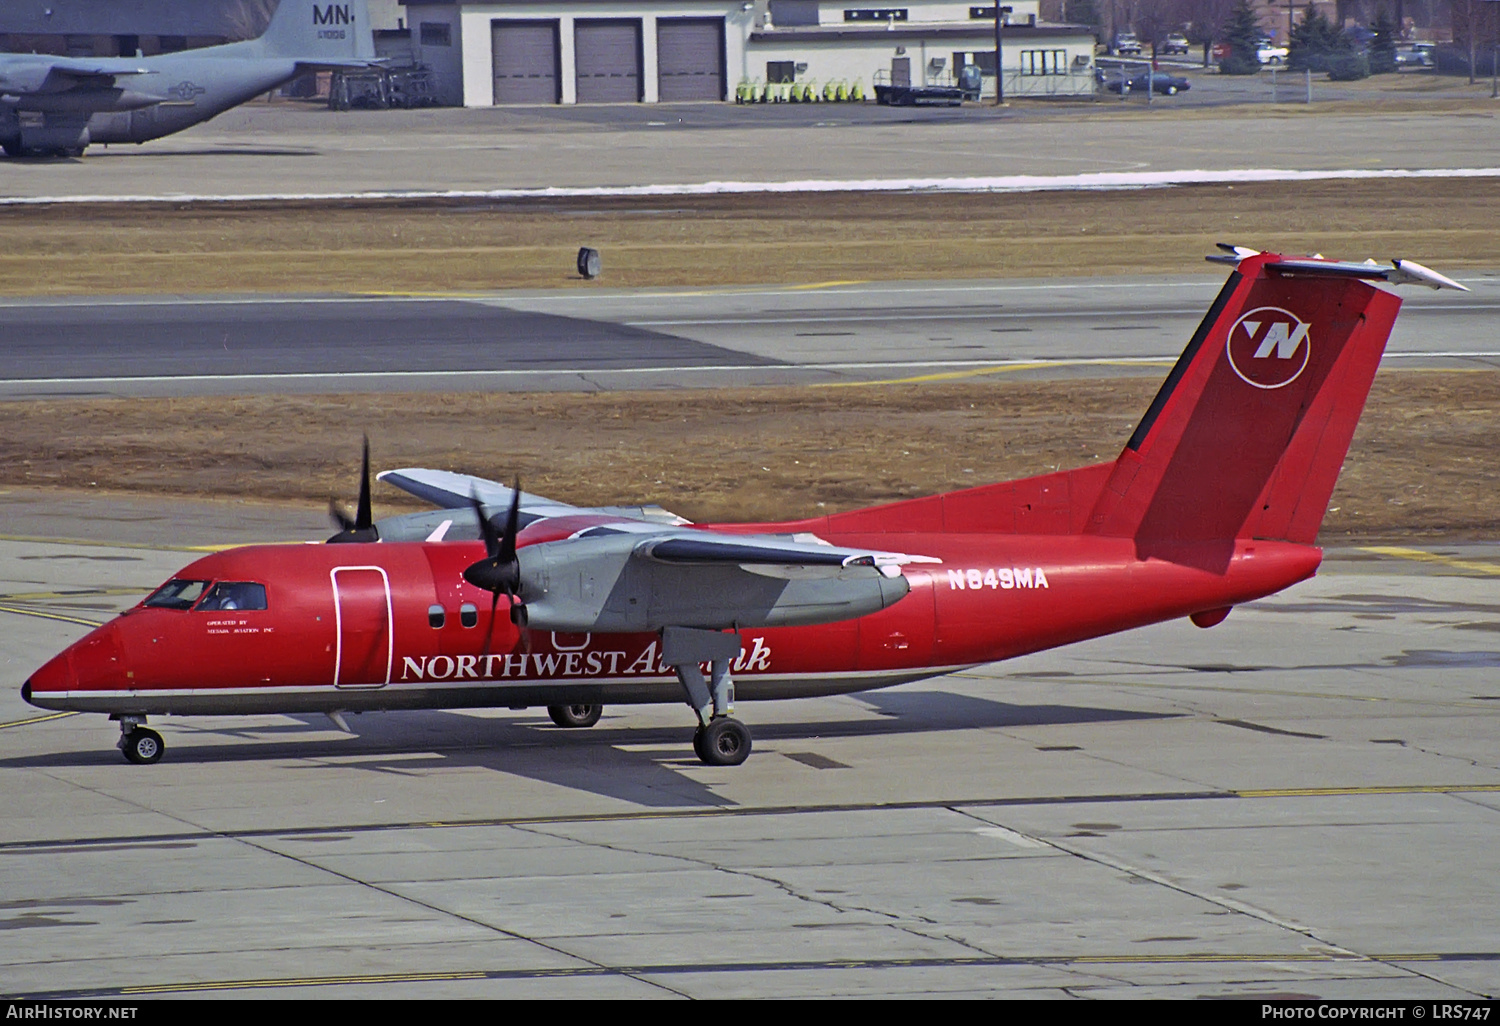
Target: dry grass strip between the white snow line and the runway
{"type": "Point", "coordinates": [725, 241]}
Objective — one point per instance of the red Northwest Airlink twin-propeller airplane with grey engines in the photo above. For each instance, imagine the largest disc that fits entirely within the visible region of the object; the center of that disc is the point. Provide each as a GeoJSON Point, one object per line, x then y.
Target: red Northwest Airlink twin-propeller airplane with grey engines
{"type": "Point", "coordinates": [1216, 500]}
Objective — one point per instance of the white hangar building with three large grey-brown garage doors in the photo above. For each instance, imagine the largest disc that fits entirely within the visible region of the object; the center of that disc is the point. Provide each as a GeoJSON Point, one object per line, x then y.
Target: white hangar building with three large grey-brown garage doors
{"type": "Point", "coordinates": [626, 52]}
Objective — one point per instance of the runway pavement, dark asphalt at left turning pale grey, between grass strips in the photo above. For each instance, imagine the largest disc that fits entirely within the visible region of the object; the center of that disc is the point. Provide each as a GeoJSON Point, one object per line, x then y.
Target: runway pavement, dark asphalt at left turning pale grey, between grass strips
{"type": "Point", "coordinates": [602, 340]}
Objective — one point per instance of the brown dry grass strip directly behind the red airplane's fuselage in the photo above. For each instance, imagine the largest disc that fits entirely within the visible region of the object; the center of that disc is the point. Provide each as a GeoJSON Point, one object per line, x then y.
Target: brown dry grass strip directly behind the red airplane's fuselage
{"type": "Point", "coordinates": [1426, 461]}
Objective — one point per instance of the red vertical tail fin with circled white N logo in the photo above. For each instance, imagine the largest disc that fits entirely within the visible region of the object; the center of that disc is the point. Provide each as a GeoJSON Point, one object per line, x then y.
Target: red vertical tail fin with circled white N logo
{"type": "Point", "coordinates": [1250, 430]}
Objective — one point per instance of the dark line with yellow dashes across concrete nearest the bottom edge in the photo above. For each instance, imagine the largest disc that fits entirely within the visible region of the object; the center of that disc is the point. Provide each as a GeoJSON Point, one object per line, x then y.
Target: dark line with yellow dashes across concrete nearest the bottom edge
{"type": "Point", "coordinates": [808, 965]}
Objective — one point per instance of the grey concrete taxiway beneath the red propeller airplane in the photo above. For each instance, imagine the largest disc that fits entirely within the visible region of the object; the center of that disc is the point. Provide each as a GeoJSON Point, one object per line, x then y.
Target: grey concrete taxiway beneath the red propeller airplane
{"type": "Point", "coordinates": [1303, 802]}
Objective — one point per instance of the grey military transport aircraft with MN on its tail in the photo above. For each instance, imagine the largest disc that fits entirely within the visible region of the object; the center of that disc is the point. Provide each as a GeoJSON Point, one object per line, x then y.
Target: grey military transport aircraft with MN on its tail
{"type": "Point", "coordinates": [59, 106]}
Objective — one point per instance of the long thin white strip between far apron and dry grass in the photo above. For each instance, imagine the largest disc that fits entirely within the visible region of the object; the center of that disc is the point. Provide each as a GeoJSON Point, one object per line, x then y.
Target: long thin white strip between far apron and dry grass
{"type": "Point", "coordinates": [991, 184]}
